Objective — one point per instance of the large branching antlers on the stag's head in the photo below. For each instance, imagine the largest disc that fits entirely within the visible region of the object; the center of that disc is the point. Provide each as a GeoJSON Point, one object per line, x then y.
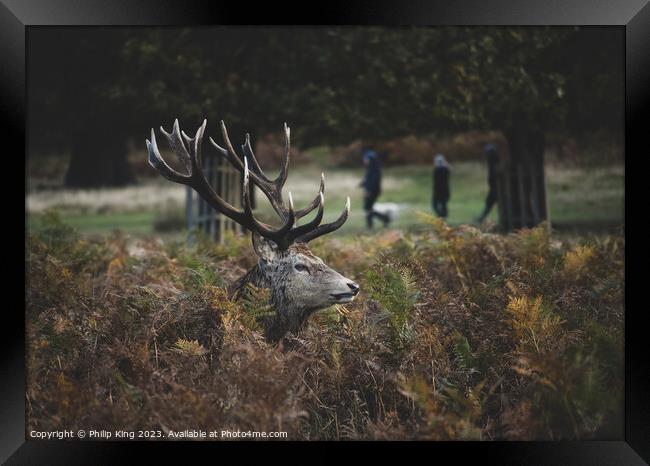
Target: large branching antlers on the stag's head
{"type": "Point", "coordinates": [189, 153]}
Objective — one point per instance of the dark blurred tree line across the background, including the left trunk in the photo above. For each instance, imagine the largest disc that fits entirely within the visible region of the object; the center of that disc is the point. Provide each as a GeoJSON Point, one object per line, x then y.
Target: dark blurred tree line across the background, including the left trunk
{"type": "Point", "coordinates": [92, 90]}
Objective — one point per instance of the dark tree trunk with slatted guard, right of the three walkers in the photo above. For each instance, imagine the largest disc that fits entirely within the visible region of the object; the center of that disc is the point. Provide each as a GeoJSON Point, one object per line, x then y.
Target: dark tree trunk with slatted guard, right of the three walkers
{"type": "Point", "coordinates": [522, 193]}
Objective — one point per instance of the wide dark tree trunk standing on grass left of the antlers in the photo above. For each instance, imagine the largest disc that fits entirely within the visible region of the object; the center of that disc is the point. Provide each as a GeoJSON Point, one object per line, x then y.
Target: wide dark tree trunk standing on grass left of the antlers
{"type": "Point", "coordinates": [97, 162]}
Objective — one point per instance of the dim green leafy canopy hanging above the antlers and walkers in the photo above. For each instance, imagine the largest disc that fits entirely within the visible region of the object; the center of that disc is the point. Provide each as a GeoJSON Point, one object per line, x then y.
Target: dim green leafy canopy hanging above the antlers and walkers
{"type": "Point", "coordinates": [370, 82]}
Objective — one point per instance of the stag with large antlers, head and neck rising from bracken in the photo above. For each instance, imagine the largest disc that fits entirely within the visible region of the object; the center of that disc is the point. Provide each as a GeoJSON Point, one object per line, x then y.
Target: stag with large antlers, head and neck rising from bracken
{"type": "Point", "coordinates": [300, 283]}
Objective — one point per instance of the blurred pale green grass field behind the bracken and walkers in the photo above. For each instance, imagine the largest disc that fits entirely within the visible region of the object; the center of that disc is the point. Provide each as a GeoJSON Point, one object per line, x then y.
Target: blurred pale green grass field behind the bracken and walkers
{"type": "Point", "coordinates": [584, 198]}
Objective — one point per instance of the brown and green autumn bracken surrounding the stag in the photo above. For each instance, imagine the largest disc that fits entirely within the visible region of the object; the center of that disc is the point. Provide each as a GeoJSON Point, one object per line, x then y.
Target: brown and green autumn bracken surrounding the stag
{"type": "Point", "coordinates": [457, 334]}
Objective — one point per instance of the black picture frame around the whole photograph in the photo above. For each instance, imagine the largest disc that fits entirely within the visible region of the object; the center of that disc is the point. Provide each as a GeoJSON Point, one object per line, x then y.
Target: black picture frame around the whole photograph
{"type": "Point", "coordinates": [16, 16]}
